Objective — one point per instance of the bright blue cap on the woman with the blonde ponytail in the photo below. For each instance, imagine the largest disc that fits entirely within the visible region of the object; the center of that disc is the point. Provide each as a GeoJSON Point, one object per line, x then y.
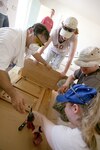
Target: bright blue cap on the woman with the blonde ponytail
{"type": "Point", "coordinates": [78, 94]}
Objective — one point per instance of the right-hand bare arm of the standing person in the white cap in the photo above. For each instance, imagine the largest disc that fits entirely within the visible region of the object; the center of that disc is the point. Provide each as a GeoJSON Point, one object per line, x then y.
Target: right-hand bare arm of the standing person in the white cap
{"type": "Point", "coordinates": [70, 57]}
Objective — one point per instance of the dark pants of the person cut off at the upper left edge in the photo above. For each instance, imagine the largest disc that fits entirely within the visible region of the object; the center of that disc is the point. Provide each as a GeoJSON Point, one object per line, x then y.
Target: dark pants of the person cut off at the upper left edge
{"type": "Point", "coordinates": [4, 21]}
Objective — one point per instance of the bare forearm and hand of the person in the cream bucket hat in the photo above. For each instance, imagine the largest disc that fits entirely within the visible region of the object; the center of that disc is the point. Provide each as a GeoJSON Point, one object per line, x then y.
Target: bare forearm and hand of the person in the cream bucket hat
{"type": "Point", "coordinates": [66, 85]}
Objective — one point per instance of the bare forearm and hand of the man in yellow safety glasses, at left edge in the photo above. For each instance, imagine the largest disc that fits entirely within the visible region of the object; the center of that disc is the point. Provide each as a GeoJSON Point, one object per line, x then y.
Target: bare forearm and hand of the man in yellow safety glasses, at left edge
{"type": "Point", "coordinates": [16, 98]}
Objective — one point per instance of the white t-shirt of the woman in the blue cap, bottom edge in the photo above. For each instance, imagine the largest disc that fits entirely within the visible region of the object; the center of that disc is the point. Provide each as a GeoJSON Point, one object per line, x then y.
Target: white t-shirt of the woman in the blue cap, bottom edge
{"type": "Point", "coordinates": [65, 138]}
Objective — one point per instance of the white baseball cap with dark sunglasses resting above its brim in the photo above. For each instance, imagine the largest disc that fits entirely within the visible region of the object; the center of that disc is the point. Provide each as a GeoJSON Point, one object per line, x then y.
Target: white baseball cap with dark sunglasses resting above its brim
{"type": "Point", "coordinates": [71, 23]}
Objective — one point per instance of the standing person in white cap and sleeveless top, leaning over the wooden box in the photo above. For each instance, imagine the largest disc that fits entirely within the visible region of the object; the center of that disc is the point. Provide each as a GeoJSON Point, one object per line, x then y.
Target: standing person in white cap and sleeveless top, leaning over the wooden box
{"type": "Point", "coordinates": [63, 41]}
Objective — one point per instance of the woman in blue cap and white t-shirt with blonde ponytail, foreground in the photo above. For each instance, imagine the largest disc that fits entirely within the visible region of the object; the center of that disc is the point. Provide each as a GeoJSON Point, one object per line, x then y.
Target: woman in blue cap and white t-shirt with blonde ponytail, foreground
{"type": "Point", "coordinates": [82, 107]}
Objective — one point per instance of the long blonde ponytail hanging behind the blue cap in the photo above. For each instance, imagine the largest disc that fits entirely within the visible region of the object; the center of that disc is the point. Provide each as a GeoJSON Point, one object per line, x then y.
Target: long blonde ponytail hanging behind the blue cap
{"type": "Point", "coordinates": [91, 123]}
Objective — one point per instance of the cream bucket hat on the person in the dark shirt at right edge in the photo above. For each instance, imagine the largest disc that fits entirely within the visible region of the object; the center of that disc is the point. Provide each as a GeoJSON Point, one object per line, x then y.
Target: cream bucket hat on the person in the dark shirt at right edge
{"type": "Point", "coordinates": [88, 57]}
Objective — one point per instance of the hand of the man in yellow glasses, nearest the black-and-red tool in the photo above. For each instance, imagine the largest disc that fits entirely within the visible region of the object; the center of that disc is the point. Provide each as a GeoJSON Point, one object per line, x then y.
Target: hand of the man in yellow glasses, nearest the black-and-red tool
{"type": "Point", "coordinates": [18, 102]}
